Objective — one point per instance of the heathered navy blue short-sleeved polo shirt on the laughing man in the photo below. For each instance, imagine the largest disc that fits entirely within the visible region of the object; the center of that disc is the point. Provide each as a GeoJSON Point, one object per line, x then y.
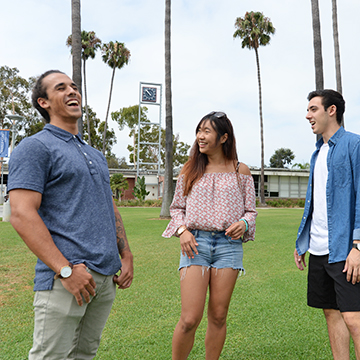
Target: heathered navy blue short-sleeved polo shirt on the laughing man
{"type": "Point", "coordinates": [76, 206]}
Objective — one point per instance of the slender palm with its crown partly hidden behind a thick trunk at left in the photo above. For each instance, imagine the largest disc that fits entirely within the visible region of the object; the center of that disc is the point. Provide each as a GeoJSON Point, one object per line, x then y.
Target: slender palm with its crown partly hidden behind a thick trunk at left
{"type": "Point", "coordinates": [90, 43]}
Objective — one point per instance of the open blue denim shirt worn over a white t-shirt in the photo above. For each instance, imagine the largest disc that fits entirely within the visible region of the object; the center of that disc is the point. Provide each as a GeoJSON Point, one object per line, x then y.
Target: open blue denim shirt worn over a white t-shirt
{"type": "Point", "coordinates": [342, 190]}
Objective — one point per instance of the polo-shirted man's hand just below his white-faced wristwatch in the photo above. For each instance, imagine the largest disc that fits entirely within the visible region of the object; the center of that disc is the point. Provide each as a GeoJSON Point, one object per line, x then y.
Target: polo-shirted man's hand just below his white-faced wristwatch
{"type": "Point", "coordinates": [80, 283]}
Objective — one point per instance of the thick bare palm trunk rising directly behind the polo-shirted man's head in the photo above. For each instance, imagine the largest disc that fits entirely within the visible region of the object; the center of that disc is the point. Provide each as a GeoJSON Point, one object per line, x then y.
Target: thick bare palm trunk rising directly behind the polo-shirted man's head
{"type": "Point", "coordinates": [76, 49]}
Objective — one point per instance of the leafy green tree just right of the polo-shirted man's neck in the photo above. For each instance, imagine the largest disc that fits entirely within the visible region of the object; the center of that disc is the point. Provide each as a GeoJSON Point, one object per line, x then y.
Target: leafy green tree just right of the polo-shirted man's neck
{"type": "Point", "coordinates": [96, 133]}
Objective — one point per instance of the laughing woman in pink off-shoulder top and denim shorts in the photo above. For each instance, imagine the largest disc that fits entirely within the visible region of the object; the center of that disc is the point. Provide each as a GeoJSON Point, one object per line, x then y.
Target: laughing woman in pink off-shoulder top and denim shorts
{"type": "Point", "coordinates": [213, 213]}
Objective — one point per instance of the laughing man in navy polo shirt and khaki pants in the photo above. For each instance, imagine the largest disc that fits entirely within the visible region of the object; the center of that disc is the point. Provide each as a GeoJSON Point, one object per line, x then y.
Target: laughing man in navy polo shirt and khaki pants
{"type": "Point", "coordinates": [62, 207]}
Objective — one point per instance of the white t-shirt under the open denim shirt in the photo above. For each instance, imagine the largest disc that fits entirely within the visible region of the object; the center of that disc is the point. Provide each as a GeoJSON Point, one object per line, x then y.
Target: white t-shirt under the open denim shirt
{"type": "Point", "coordinates": [319, 236]}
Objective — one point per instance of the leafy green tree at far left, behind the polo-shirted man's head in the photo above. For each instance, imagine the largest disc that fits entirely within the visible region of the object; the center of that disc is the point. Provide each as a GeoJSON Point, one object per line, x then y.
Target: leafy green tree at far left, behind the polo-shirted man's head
{"type": "Point", "coordinates": [15, 94]}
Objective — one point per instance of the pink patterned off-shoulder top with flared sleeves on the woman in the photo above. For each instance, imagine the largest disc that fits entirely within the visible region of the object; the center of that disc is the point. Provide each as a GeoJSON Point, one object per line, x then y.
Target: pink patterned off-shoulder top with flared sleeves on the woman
{"type": "Point", "coordinates": [215, 201]}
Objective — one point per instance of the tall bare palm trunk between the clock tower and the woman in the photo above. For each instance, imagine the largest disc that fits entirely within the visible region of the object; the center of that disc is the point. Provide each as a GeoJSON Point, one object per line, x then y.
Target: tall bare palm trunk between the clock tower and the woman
{"type": "Point", "coordinates": [168, 178]}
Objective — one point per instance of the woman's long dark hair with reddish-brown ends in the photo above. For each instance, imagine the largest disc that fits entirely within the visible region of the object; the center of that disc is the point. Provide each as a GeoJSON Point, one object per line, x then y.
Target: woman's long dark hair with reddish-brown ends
{"type": "Point", "coordinates": [194, 168]}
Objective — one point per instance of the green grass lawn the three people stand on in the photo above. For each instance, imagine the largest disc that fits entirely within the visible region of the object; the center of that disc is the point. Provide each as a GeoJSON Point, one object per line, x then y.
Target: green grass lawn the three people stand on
{"type": "Point", "coordinates": [268, 317]}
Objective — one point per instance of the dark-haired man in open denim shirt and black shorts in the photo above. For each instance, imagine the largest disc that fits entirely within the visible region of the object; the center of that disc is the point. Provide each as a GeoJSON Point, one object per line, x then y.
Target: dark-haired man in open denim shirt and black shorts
{"type": "Point", "coordinates": [330, 227]}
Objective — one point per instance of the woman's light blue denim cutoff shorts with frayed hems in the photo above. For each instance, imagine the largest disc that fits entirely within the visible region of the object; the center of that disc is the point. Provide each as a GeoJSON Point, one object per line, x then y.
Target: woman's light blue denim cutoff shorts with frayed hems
{"type": "Point", "coordinates": [216, 250]}
